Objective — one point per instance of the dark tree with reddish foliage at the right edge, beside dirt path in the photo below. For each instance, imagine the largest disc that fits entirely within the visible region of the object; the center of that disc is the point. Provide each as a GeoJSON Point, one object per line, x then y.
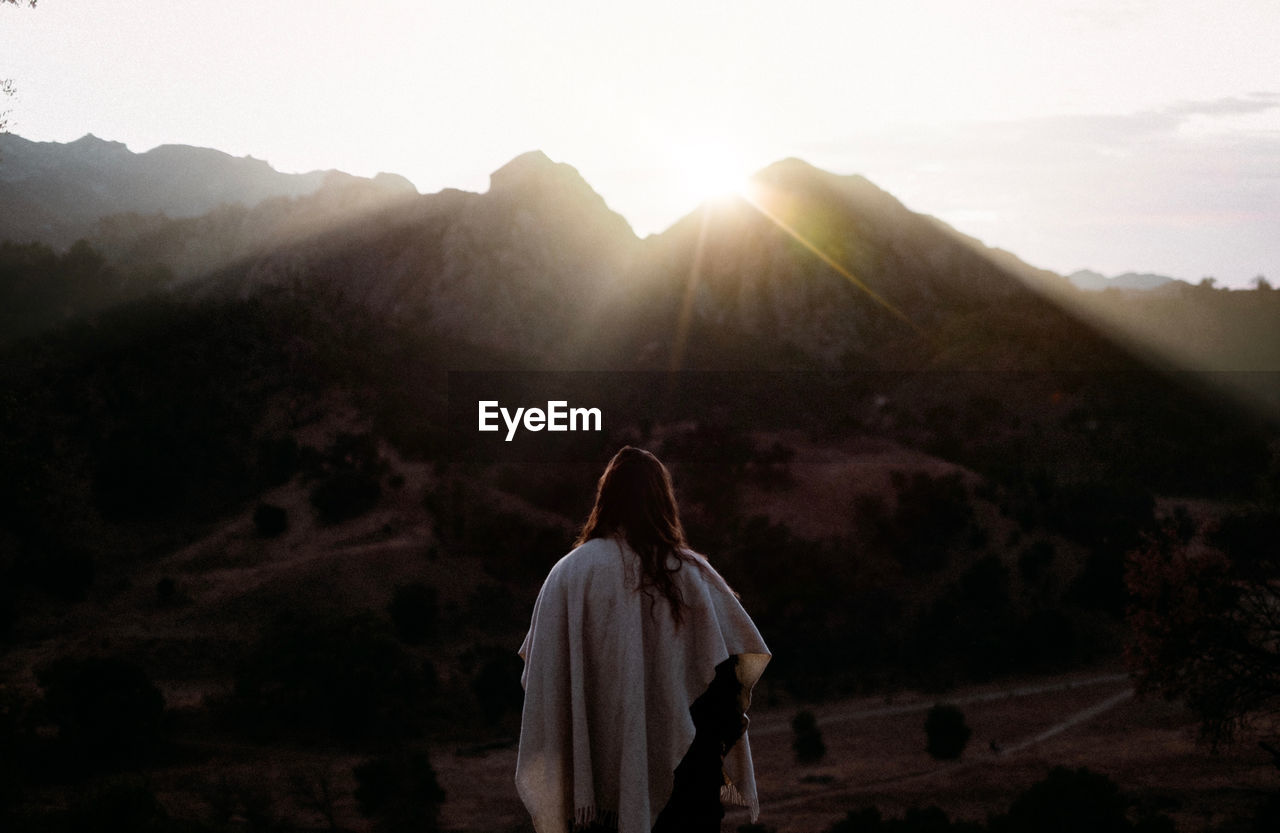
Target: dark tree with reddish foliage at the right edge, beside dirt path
{"type": "Point", "coordinates": [1205, 621]}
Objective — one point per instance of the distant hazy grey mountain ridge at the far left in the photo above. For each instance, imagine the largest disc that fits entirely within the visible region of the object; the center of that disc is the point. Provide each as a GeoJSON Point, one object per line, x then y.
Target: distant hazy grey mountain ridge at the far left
{"type": "Point", "coordinates": [56, 193]}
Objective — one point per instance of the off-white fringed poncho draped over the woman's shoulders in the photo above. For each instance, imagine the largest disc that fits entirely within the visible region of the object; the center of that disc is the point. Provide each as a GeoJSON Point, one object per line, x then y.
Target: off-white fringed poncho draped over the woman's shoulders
{"type": "Point", "coordinates": [609, 683]}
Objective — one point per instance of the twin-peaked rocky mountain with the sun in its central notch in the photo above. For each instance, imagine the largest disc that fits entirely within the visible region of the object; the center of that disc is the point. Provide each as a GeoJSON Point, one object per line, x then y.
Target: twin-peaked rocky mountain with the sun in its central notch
{"type": "Point", "coordinates": [817, 272]}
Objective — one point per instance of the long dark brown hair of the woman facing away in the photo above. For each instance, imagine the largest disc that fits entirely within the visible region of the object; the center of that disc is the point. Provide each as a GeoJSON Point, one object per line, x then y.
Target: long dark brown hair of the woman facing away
{"type": "Point", "coordinates": [637, 502]}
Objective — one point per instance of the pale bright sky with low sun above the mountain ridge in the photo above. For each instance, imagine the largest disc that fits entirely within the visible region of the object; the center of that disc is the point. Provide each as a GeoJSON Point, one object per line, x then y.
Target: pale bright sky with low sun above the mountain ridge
{"type": "Point", "coordinates": [1108, 135]}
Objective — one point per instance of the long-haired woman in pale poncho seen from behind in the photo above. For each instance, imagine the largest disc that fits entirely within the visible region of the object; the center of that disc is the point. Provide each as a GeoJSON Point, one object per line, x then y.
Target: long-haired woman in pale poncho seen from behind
{"type": "Point", "coordinates": [639, 666]}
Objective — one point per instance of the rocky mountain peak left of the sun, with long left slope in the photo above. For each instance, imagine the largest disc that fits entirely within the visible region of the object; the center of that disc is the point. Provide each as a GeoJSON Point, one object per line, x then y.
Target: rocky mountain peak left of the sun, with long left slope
{"type": "Point", "coordinates": [523, 268]}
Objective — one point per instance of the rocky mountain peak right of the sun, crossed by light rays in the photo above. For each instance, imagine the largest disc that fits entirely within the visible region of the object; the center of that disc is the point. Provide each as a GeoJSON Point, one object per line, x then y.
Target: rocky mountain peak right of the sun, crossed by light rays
{"type": "Point", "coordinates": [831, 272]}
